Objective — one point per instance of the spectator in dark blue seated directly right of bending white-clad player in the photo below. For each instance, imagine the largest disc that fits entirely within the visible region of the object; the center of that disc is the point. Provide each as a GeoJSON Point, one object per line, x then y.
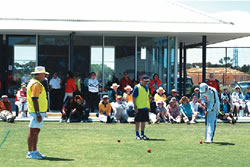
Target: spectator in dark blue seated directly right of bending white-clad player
{"type": "Point", "coordinates": [225, 112]}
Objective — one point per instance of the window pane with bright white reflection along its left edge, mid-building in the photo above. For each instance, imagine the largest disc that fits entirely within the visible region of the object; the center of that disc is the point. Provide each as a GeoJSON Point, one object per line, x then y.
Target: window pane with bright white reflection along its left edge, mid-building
{"type": "Point", "coordinates": [119, 57]}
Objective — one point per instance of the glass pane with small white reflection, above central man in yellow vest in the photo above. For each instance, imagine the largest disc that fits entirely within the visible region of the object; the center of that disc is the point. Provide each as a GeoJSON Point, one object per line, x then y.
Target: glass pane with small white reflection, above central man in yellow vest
{"type": "Point", "coordinates": [152, 58]}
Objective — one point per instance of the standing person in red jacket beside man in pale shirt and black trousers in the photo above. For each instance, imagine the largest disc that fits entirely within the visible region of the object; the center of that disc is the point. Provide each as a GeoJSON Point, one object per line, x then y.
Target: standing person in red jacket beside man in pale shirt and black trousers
{"type": "Point", "coordinates": [70, 86]}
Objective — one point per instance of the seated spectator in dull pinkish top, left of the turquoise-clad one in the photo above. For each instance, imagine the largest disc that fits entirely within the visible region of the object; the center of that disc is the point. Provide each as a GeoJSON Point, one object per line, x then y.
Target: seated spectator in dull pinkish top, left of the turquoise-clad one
{"type": "Point", "coordinates": [173, 111]}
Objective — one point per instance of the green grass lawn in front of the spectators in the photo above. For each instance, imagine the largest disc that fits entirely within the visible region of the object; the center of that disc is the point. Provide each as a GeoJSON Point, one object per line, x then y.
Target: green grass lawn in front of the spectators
{"type": "Point", "coordinates": [95, 144]}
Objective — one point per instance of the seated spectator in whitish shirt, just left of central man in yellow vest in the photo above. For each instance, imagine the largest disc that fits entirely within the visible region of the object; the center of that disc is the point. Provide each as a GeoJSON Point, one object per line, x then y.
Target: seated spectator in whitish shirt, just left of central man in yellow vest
{"type": "Point", "coordinates": [120, 110]}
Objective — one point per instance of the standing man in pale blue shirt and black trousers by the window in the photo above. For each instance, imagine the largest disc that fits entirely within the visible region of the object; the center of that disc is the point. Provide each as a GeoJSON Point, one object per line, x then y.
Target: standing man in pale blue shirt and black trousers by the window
{"type": "Point", "coordinates": [55, 86]}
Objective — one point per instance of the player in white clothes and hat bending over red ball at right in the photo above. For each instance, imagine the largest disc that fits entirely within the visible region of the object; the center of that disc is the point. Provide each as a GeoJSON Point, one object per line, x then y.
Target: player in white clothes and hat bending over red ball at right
{"type": "Point", "coordinates": [209, 95]}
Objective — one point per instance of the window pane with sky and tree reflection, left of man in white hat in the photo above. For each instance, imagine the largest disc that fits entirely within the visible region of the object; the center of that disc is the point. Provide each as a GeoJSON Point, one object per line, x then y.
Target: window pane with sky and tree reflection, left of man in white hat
{"type": "Point", "coordinates": [21, 61]}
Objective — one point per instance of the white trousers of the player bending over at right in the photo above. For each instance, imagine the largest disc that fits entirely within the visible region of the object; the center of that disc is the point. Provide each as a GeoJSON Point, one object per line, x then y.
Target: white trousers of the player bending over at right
{"type": "Point", "coordinates": [211, 122]}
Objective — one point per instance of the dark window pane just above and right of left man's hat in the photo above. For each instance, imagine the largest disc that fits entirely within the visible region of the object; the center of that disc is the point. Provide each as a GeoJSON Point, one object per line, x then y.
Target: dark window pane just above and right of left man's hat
{"type": "Point", "coordinates": [53, 54]}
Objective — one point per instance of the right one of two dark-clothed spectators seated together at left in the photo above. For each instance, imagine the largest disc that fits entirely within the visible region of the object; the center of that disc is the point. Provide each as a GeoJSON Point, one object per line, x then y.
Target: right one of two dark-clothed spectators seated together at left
{"type": "Point", "coordinates": [80, 112]}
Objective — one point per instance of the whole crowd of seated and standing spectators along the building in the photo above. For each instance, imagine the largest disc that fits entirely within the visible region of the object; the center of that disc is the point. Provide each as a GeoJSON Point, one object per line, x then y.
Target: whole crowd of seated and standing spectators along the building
{"type": "Point", "coordinates": [81, 97]}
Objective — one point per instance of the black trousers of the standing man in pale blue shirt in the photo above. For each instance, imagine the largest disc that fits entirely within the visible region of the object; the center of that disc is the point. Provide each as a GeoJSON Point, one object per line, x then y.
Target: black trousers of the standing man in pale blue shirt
{"type": "Point", "coordinates": [55, 99]}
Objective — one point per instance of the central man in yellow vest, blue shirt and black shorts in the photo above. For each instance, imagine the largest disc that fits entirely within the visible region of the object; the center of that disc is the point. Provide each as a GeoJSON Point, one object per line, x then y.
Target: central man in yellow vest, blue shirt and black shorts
{"type": "Point", "coordinates": [141, 106]}
